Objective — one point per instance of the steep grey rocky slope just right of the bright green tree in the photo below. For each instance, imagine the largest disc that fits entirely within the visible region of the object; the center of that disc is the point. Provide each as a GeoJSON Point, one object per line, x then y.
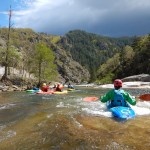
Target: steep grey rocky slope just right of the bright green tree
{"type": "Point", "coordinates": [70, 70]}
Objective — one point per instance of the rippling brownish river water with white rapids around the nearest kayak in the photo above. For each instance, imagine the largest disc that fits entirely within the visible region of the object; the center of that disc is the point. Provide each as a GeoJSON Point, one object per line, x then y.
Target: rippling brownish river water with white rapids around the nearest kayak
{"type": "Point", "coordinates": [66, 122]}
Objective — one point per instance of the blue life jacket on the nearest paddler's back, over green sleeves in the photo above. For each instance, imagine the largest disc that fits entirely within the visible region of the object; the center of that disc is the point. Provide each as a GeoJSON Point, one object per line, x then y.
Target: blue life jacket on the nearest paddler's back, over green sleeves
{"type": "Point", "coordinates": [118, 99]}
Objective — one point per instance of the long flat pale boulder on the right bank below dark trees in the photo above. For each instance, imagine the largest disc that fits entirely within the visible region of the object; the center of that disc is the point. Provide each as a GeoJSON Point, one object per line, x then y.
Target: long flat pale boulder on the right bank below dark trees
{"type": "Point", "coordinates": [140, 77]}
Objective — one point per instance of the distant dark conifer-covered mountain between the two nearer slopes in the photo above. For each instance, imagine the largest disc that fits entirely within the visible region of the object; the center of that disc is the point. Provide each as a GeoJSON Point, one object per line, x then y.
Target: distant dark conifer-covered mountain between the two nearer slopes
{"type": "Point", "coordinates": [92, 50]}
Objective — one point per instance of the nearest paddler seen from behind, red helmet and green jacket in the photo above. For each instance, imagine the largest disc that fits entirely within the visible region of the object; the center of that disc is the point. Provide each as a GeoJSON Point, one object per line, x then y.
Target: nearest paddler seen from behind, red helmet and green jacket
{"type": "Point", "coordinates": [117, 96]}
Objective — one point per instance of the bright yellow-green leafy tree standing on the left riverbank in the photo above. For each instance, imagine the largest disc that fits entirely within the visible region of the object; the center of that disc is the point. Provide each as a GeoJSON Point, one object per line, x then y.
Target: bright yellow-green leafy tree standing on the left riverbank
{"type": "Point", "coordinates": [43, 63]}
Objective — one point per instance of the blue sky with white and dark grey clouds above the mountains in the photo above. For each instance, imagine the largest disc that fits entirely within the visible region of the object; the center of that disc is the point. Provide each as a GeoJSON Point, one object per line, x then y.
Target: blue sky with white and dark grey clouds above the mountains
{"type": "Point", "coordinates": [114, 18]}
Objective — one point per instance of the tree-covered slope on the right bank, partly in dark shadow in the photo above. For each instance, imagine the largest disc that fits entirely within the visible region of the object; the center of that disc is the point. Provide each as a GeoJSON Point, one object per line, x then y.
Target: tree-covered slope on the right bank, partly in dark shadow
{"type": "Point", "coordinates": [132, 60]}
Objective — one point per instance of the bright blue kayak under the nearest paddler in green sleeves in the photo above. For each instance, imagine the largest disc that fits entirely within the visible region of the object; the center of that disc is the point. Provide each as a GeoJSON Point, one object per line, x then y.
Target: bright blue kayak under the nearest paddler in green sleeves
{"type": "Point", "coordinates": [121, 112]}
